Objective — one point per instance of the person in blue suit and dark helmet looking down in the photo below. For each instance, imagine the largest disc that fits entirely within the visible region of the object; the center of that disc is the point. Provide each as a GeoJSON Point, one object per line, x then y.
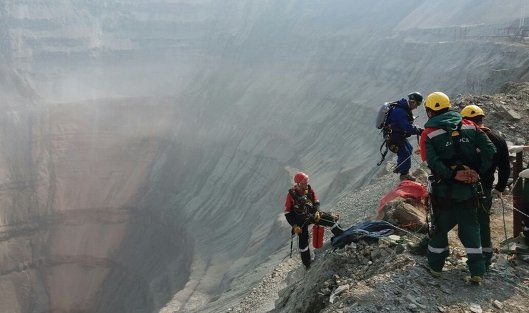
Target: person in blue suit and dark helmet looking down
{"type": "Point", "coordinates": [400, 121]}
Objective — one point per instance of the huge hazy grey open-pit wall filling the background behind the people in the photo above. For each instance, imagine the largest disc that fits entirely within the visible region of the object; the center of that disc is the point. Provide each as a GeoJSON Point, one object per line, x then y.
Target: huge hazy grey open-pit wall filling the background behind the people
{"type": "Point", "coordinates": [147, 147]}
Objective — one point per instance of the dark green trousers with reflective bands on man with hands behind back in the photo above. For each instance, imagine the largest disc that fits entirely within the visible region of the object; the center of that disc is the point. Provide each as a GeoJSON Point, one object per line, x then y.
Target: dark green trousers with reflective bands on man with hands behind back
{"type": "Point", "coordinates": [468, 231]}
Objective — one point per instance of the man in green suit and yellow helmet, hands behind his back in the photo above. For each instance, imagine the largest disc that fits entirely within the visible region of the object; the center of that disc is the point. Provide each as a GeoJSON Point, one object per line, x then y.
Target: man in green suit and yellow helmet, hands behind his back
{"type": "Point", "coordinates": [450, 146]}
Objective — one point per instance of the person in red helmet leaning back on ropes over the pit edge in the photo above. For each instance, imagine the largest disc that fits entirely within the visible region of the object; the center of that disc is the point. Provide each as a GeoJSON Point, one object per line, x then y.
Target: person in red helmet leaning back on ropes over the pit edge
{"type": "Point", "coordinates": [301, 209]}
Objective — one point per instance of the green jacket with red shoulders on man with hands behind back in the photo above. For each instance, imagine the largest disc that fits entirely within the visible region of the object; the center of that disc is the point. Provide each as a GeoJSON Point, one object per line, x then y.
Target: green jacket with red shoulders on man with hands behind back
{"type": "Point", "coordinates": [445, 150]}
